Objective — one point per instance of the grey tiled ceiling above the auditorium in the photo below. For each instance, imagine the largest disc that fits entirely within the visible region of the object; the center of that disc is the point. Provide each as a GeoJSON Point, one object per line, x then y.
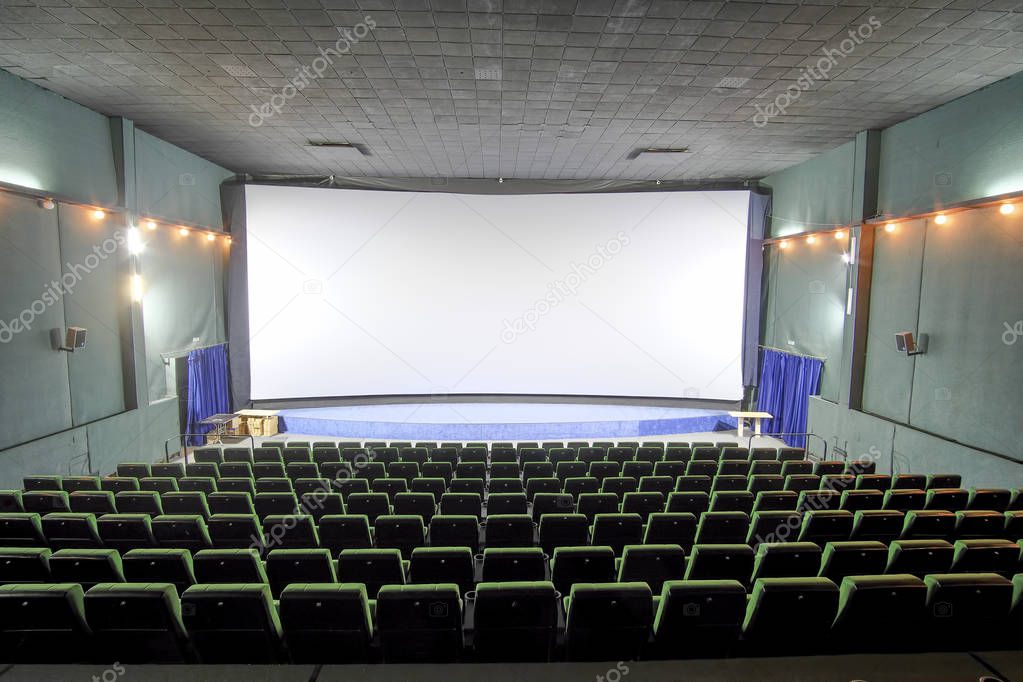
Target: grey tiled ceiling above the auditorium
{"type": "Point", "coordinates": [540, 89]}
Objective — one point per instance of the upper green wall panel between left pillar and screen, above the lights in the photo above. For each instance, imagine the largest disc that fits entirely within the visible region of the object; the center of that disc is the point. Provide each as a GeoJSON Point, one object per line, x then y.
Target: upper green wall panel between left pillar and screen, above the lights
{"type": "Point", "coordinates": [175, 185]}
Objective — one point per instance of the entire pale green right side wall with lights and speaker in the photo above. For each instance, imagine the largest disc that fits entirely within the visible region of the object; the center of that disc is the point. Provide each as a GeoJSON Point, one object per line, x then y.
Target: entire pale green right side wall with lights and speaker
{"type": "Point", "coordinates": [958, 407]}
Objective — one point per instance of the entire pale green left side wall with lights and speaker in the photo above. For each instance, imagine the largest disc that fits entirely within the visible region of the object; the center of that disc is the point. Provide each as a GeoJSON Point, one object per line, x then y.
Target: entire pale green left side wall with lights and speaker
{"type": "Point", "coordinates": [83, 413]}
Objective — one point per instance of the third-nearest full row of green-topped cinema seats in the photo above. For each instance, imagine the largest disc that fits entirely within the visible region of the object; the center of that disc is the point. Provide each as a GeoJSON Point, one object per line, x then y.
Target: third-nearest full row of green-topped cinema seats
{"type": "Point", "coordinates": [407, 532]}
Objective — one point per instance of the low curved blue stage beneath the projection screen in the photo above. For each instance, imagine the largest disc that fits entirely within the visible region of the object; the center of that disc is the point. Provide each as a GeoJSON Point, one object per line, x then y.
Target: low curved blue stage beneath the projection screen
{"type": "Point", "coordinates": [502, 422]}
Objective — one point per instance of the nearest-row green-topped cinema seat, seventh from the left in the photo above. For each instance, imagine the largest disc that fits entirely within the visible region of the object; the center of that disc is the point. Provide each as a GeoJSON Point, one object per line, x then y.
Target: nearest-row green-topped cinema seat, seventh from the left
{"type": "Point", "coordinates": [608, 622]}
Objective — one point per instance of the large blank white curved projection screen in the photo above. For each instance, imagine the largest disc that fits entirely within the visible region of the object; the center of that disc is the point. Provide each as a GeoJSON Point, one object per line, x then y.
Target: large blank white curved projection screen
{"type": "Point", "coordinates": [363, 293]}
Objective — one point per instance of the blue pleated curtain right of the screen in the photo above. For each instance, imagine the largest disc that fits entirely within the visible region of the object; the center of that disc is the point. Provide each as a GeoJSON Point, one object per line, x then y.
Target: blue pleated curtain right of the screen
{"type": "Point", "coordinates": [787, 382]}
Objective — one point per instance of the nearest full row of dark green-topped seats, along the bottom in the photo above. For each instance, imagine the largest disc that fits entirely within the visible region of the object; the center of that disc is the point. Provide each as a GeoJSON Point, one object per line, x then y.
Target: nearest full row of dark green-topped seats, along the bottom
{"type": "Point", "coordinates": [507, 621]}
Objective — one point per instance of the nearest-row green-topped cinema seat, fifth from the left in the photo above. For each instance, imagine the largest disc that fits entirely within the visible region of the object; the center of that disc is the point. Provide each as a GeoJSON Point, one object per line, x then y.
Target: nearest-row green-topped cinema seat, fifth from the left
{"type": "Point", "coordinates": [420, 623]}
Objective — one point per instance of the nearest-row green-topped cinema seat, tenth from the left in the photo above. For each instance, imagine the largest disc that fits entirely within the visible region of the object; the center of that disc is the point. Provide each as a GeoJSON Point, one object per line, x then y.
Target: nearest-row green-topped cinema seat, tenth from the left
{"type": "Point", "coordinates": [892, 609]}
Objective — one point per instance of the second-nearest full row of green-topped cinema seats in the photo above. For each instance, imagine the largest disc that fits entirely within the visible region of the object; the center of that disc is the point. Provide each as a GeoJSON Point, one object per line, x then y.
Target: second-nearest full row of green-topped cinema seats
{"type": "Point", "coordinates": [570, 565]}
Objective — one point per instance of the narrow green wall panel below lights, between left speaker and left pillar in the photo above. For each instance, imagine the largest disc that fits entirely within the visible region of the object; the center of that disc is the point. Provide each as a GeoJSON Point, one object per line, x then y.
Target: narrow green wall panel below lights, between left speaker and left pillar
{"type": "Point", "coordinates": [96, 259]}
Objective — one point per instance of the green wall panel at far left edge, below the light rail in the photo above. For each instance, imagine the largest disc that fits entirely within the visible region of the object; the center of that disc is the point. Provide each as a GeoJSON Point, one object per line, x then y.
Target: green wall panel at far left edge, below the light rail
{"type": "Point", "coordinates": [34, 397]}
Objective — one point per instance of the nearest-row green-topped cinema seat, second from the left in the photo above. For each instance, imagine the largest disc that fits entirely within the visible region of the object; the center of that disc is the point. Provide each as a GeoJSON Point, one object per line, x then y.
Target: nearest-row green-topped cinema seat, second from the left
{"type": "Point", "coordinates": [138, 623]}
